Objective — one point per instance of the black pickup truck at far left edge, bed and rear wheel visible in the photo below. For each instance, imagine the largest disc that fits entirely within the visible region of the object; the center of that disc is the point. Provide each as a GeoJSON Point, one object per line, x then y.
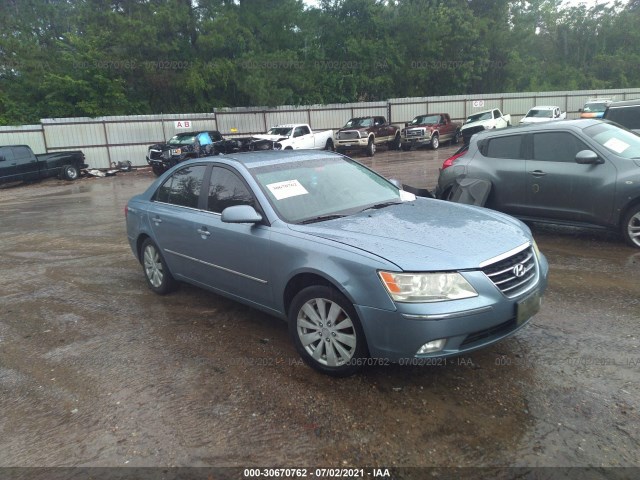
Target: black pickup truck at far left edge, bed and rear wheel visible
{"type": "Point", "coordinates": [18, 163]}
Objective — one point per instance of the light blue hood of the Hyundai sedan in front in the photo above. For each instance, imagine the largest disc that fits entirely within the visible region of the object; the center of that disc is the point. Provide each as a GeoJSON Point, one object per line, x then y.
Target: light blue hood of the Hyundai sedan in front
{"type": "Point", "coordinates": [426, 234]}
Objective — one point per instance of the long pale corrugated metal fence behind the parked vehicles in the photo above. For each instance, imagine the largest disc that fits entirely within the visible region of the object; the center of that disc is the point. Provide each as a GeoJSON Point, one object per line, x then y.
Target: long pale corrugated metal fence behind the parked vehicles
{"type": "Point", "coordinates": [111, 139]}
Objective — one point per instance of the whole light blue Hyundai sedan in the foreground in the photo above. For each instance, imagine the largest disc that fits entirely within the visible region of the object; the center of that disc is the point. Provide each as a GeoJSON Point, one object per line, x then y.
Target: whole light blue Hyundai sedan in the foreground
{"type": "Point", "coordinates": [361, 270]}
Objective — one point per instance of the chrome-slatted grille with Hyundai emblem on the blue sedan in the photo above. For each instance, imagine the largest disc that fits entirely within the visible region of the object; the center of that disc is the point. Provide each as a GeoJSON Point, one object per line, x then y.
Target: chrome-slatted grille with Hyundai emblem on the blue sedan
{"type": "Point", "coordinates": [514, 275]}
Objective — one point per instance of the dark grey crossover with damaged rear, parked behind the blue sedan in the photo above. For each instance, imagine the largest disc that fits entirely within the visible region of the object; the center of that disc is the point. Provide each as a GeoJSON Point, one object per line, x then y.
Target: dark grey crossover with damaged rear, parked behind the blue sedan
{"type": "Point", "coordinates": [576, 172]}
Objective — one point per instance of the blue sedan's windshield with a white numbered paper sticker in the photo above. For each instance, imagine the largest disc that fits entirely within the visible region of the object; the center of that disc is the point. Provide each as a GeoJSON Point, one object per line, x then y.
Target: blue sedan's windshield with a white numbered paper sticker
{"type": "Point", "coordinates": [311, 189]}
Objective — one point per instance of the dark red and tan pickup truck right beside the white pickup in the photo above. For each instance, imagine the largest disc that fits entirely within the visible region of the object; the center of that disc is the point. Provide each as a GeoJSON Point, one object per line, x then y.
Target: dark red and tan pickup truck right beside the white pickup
{"type": "Point", "coordinates": [367, 133]}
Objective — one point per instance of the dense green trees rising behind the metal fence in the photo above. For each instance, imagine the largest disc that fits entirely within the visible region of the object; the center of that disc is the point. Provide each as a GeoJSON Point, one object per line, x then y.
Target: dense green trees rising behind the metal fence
{"type": "Point", "coordinates": [63, 58]}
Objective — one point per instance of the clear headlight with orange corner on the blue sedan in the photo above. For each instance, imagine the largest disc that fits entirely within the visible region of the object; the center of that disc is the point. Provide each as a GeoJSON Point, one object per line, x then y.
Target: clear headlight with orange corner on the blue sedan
{"type": "Point", "coordinates": [426, 287]}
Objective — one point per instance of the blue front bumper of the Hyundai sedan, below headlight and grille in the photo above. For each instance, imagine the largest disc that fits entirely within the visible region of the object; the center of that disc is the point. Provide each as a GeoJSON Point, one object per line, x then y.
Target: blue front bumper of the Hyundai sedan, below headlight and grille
{"type": "Point", "coordinates": [464, 325]}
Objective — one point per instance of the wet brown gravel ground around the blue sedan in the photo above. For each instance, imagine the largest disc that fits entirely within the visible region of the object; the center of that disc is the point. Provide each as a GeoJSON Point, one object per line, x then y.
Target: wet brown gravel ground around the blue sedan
{"type": "Point", "coordinates": [96, 370]}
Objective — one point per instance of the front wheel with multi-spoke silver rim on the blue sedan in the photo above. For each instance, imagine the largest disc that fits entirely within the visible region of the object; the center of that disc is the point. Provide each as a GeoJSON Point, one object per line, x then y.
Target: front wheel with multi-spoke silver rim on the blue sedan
{"type": "Point", "coordinates": [326, 331]}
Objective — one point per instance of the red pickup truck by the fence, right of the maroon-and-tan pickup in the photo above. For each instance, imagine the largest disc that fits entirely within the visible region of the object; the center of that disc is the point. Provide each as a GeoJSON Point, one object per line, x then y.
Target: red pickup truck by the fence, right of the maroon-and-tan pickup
{"type": "Point", "coordinates": [430, 129]}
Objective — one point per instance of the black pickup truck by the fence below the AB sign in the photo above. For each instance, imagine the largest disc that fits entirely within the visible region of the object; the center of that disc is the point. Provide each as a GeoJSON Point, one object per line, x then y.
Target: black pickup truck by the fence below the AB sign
{"type": "Point", "coordinates": [187, 145]}
